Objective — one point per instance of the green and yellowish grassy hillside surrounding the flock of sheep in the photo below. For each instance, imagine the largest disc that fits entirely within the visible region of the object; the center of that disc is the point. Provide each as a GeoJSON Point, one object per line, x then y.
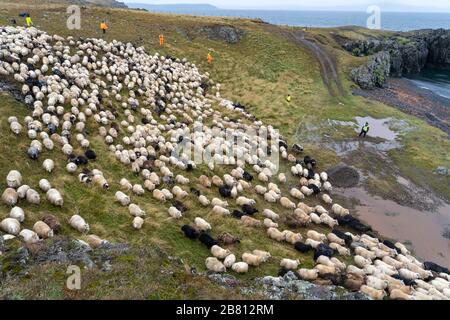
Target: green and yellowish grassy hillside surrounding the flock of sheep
{"type": "Point", "coordinates": [258, 71]}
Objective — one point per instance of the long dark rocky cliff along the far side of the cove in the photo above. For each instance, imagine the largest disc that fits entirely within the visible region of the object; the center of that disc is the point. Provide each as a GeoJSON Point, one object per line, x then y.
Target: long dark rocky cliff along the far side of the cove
{"type": "Point", "coordinates": [409, 53]}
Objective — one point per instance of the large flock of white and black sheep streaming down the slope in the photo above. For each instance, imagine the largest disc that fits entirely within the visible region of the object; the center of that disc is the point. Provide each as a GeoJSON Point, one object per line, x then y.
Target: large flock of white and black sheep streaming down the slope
{"type": "Point", "coordinates": [145, 107]}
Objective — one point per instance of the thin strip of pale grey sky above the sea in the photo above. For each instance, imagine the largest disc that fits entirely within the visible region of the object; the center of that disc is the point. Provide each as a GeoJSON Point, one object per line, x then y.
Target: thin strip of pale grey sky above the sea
{"type": "Point", "coordinates": [392, 5]}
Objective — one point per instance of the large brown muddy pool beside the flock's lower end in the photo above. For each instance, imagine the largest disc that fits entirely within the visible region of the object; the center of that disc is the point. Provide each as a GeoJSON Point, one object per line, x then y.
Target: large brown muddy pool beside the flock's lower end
{"type": "Point", "coordinates": [422, 229]}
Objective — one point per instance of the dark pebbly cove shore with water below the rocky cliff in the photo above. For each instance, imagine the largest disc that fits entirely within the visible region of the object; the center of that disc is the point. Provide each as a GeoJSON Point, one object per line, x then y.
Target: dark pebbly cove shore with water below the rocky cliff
{"type": "Point", "coordinates": [406, 96]}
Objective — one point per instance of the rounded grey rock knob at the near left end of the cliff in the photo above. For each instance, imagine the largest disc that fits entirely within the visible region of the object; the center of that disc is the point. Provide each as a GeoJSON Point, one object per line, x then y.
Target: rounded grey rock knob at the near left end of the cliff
{"type": "Point", "coordinates": [374, 73]}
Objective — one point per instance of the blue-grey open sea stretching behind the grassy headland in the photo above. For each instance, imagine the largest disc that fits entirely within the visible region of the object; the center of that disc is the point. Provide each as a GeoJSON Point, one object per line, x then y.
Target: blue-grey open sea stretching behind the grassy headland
{"type": "Point", "coordinates": [394, 21]}
